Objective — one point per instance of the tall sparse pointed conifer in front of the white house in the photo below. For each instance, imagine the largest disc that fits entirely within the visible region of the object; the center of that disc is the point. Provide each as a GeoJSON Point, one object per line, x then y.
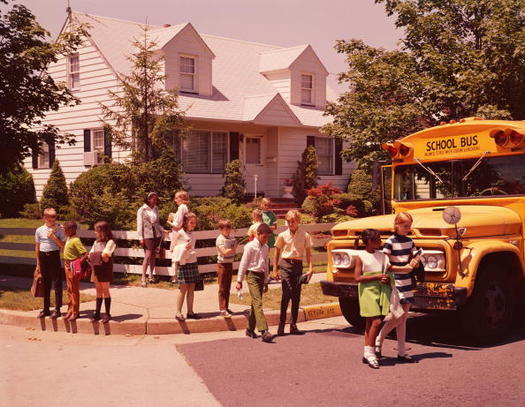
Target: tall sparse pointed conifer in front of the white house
{"type": "Point", "coordinates": [143, 108]}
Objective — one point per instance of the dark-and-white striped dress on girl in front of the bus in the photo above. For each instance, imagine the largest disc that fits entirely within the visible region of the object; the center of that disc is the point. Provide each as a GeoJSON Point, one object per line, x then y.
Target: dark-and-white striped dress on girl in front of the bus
{"type": "Point", "coordinates": [399, 250]}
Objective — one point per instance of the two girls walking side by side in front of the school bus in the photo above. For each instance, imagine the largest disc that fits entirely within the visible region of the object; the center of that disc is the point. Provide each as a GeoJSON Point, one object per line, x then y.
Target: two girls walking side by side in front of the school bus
{"type": "Point", "coordinates": [386, 290]}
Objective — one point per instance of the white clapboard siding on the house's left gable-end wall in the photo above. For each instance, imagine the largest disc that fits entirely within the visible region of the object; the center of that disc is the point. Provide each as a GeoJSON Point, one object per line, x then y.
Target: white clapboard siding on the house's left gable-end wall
{"type": "Point", "coordinates": [96, 77]}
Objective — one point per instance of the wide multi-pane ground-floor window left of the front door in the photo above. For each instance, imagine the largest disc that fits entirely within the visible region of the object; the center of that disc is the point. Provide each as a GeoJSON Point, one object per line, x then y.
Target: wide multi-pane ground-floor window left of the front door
{"type": "Point", "coordinates": [205, 152]}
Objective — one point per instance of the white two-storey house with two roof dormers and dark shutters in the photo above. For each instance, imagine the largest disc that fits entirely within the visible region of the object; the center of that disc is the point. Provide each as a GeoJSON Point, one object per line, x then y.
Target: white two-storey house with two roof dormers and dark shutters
{"type": "Point", "coordinates": [257, 102]}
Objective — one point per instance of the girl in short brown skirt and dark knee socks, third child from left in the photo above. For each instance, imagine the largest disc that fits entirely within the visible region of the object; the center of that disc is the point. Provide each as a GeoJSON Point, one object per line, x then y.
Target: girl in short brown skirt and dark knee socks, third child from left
{"type": "Point", "coordinates": [100, 258]}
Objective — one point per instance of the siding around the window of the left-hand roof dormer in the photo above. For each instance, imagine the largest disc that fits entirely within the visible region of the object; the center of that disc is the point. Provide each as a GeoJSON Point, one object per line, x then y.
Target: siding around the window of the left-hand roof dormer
{"type": "Point", "coordinates": [188, 42]}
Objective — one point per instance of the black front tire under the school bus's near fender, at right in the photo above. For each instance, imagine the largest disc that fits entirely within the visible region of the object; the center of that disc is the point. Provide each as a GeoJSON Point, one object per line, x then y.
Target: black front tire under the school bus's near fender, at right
{"type": "Point", "coordinates": [487, 316]}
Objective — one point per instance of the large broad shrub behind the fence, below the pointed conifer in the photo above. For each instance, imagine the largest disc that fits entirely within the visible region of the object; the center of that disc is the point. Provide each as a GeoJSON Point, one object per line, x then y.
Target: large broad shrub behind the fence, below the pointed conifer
{"type": "Point", "coordinates": [114, 192]}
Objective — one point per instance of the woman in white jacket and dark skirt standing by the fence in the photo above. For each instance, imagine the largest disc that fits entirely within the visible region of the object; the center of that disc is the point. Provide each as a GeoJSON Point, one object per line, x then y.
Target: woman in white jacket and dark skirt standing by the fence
{"type": "Point", "coordinates": [150, 234]}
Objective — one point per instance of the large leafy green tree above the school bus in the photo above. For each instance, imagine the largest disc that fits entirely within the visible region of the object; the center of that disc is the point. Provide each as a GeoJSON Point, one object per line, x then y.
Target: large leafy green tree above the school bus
{"type": "Point", "coordinates": [458, 58]}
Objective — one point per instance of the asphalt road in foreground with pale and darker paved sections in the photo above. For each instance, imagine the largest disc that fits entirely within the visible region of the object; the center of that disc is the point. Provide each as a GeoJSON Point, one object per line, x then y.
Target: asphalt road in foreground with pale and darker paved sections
{"type": "Point", "coordinates": [321, 368]}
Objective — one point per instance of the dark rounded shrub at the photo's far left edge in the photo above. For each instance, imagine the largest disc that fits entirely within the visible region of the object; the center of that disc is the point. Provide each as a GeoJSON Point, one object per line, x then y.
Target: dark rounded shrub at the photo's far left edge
{"type": "Point", "coordinates": [16, 190]}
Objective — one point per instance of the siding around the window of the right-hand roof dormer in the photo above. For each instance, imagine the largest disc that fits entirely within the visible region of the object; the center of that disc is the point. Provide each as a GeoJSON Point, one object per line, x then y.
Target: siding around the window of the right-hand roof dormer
{"type": "Point", "coordinates": [308, 63]}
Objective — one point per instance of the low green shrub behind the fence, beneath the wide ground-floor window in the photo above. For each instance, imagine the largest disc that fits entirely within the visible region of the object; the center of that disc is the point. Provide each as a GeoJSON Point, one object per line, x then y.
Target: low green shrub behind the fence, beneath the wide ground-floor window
{"type": "Point", "coordinates": [211, 210]}
